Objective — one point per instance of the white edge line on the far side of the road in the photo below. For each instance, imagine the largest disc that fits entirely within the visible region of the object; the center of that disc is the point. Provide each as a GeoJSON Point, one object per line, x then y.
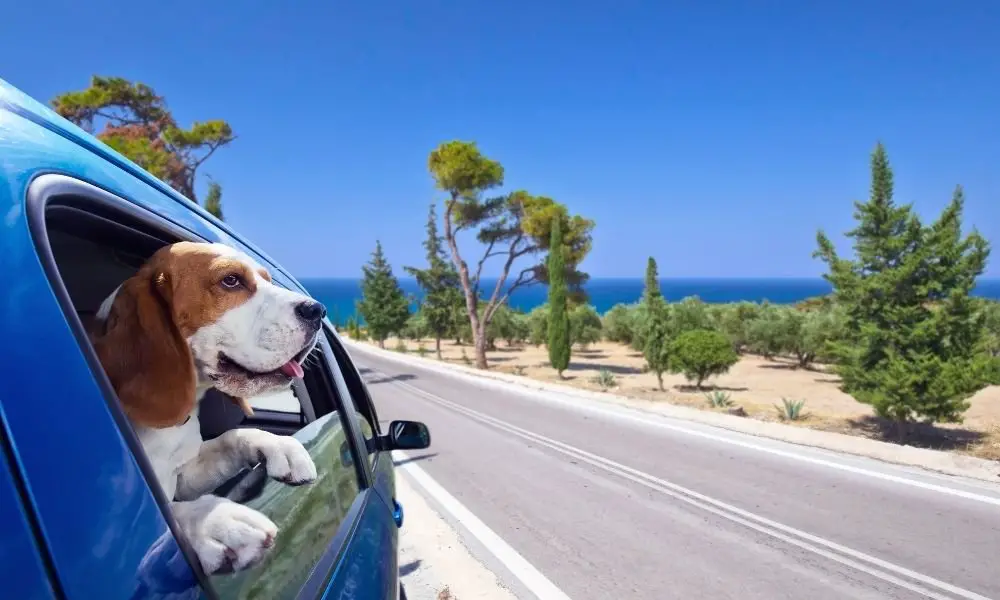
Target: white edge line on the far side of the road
{"type": "Point", "coordinates": [656, 421]}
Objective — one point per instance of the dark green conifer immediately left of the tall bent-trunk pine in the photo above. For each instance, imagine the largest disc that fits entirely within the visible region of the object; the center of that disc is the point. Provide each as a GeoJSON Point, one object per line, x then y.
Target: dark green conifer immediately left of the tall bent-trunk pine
{"type": "Point", "coordinates": [440, 283]}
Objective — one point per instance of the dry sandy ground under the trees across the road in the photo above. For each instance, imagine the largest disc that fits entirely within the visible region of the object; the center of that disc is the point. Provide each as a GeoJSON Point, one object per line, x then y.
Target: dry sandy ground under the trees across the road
{"type": "Point", "coordinates": [754, 383]}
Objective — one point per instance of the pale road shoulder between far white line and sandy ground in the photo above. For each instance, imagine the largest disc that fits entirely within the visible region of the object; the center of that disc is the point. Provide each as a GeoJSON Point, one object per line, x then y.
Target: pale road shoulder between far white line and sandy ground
{"type": "Point", "coordinates": [931, 460]}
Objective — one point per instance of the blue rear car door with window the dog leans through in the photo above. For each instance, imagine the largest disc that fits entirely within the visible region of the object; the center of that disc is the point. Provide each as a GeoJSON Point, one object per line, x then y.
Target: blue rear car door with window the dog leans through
{"type": "Point", "coordinates": [339, 532]}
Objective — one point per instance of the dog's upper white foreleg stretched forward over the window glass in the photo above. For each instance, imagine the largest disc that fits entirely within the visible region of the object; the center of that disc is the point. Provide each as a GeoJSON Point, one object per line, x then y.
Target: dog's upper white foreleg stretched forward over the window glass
{"type": "Point", "coordinates": [285, 458]}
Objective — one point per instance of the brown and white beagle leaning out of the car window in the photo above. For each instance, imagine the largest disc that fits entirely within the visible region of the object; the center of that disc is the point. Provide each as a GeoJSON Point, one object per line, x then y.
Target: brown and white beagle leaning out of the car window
{"type": "Point", "coordinates": [197, 316]}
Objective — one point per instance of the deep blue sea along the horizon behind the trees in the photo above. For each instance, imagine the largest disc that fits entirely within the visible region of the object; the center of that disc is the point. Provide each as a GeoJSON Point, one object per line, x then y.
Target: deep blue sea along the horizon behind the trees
{"type": "Point", "coordinates": [340, 294]}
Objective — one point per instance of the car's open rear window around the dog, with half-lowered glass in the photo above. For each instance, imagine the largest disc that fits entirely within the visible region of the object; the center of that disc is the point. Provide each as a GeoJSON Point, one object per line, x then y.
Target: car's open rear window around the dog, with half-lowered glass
{"type": "Point", "coordinates": [94, 254]}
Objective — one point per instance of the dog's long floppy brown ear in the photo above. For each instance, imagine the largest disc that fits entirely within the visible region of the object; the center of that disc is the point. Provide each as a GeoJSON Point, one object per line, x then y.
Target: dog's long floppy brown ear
{"type": "Point", "coordinates": [143, 352]}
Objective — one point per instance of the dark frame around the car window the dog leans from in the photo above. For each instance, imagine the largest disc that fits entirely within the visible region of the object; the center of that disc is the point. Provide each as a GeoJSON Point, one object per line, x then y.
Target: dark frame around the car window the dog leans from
{"type": "Point", "coordinates": [54, 190]}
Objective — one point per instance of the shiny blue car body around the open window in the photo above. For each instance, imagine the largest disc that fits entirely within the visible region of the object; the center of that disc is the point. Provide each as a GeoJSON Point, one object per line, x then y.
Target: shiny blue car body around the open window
{"type": "Point", "coordinates": [80, 516]}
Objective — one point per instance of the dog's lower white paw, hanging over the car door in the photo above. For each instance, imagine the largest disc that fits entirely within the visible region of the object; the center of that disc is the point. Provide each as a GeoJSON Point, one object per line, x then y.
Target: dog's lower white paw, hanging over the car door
{"type": "Point", "coordinates": [226, 536]}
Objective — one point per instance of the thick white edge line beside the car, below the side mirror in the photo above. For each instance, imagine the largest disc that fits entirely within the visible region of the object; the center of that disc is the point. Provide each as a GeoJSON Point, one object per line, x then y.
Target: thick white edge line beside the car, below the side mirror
{"type": "Point", "coordinates": [532, 578]}
